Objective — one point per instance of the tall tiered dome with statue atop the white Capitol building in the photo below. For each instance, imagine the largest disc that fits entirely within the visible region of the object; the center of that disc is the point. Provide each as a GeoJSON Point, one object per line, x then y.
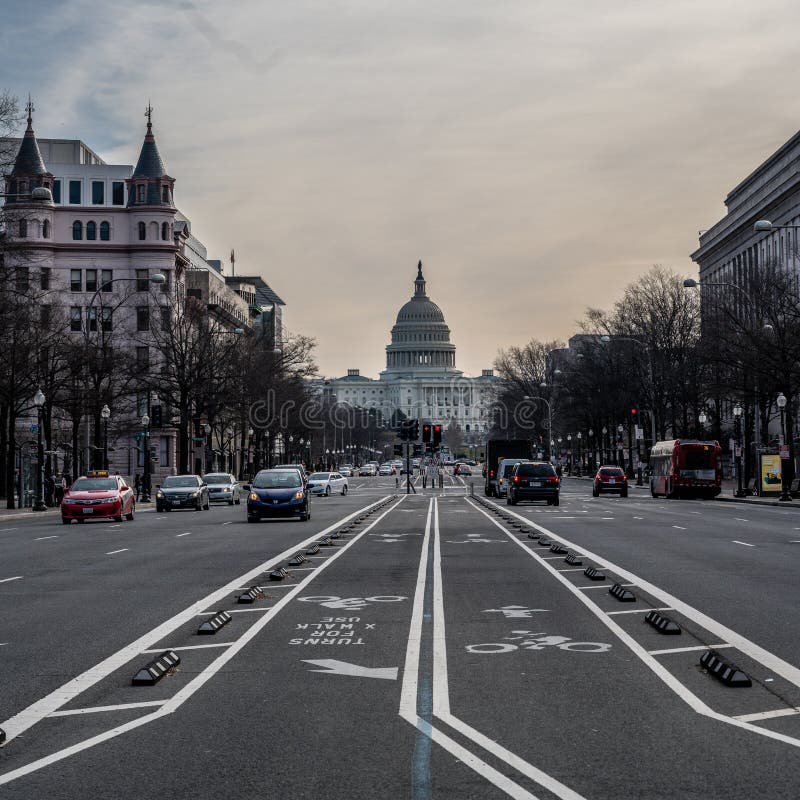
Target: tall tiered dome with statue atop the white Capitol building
{"type": "Point", "coordinates": [420, 338]}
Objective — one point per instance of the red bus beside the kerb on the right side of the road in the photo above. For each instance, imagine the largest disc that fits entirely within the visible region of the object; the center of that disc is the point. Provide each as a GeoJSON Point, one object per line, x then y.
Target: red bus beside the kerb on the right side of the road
{"type": "Point", "coordinates": [686, 468]}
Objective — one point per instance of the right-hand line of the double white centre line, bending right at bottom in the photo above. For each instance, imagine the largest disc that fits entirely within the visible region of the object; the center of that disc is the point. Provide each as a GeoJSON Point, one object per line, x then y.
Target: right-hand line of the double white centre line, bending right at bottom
{"type": "Point", "coordinates": [441, 695]}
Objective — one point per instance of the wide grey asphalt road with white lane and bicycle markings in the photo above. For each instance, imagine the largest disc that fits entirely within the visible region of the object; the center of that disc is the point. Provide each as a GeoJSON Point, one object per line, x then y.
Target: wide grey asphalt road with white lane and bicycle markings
{"type": "Point", "coordinates": [432, 650]}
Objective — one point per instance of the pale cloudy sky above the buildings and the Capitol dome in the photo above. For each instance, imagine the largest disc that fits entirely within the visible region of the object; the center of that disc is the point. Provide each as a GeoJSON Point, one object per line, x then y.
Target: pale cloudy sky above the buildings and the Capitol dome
{"type": "Point", "coordinates": [536, 156]}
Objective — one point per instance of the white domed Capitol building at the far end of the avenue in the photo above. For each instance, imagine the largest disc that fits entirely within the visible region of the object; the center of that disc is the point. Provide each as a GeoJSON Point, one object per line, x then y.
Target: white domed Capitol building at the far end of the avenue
{"type": "Point", "coordinates": [420, 380]}
